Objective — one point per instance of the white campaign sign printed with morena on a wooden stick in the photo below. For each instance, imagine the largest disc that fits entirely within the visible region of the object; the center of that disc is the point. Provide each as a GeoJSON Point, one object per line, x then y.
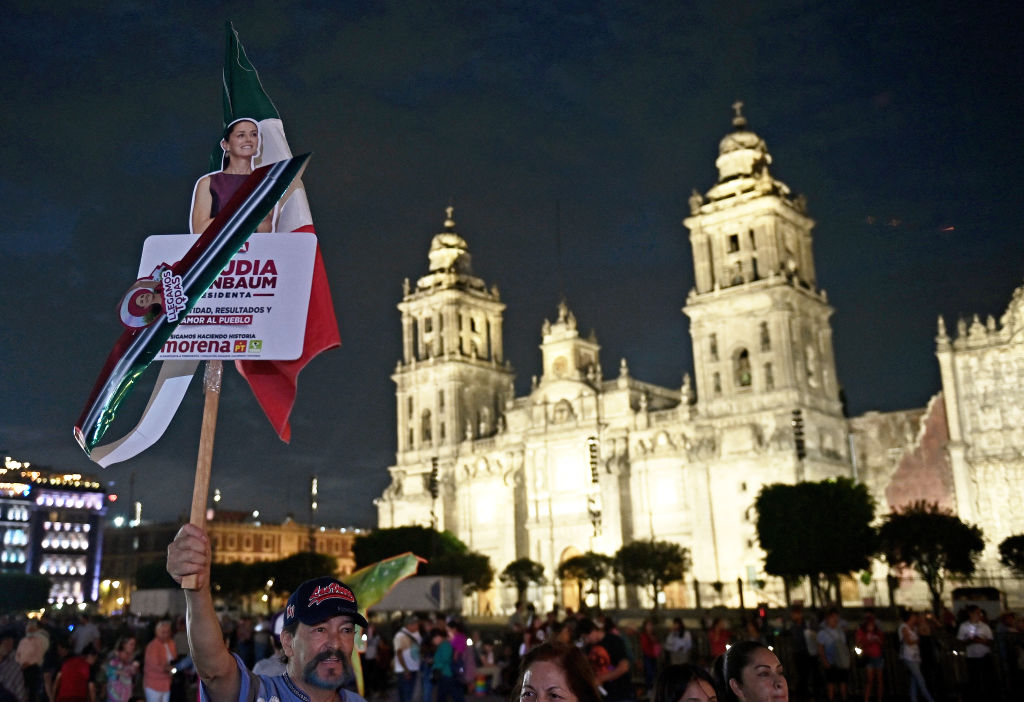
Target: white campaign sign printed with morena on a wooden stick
{"type": "Point", "coordinates": [255, 310]}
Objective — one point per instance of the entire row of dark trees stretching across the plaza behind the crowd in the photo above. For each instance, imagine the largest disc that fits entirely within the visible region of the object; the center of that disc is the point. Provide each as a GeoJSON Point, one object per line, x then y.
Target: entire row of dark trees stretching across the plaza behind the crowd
{"type": "Point", "coordinates": [819, 532]}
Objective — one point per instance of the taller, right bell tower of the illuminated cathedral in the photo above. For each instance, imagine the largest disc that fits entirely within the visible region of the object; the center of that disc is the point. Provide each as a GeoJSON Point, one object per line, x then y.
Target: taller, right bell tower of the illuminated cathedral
{"type": "Point", "coordinates": [762, 340]}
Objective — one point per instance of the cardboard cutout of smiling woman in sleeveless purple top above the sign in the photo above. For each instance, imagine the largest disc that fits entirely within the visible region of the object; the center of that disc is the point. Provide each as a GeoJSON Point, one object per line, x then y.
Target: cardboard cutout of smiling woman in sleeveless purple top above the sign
{"type": "Point", "coordinates": [242, 147]}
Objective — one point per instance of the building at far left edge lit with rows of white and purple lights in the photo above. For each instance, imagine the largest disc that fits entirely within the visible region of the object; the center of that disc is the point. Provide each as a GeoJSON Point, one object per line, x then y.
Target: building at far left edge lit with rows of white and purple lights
{"type": "Point", "coordinates": [51, 525]}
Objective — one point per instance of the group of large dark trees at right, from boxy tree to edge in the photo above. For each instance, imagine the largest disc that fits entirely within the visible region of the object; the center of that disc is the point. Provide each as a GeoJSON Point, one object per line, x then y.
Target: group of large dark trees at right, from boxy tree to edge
{"type": "Point", "coordinates": [827, 530]}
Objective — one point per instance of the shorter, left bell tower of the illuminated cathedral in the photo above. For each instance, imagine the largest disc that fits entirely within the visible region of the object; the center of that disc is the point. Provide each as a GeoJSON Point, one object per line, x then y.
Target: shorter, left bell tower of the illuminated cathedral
{"type": "Point", "coordinates": [453, 381]}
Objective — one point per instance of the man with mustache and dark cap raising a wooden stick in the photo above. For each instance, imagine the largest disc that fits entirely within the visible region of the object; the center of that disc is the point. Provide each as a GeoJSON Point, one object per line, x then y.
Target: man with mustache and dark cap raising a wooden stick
{"type": "Point", "coordinates": [317, 639]}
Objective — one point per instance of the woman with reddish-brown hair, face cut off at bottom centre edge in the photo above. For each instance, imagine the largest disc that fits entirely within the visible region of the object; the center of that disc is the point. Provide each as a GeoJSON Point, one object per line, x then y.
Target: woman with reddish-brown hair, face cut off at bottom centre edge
{"type": "Point", "coordinates": [556, 673]}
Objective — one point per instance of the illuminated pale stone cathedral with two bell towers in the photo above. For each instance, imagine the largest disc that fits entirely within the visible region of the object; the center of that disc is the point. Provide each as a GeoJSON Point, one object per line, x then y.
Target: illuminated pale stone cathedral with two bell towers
{"type": "Point", "coordinates": [592, 460]}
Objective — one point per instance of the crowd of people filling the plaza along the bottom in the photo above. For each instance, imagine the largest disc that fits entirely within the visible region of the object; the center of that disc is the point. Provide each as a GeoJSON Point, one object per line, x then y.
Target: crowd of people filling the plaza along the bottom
{"type": "Point", "coordinates": [434, 659]}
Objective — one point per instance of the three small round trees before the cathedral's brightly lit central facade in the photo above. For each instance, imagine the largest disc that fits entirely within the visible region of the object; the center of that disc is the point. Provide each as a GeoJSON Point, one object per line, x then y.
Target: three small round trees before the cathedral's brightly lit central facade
{"type": "Point", "coordinates": [647, 564]}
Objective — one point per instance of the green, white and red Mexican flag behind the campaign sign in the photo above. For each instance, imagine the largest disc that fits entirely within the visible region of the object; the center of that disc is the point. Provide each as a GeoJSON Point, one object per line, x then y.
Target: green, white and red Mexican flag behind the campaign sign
{"type": "Point", "coordinates": [276, 383]}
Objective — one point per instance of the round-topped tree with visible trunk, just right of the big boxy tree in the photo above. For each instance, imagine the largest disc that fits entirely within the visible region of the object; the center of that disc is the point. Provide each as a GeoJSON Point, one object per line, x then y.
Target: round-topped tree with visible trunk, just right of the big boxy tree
{"type": "Point", "coordinates": [932, 542]}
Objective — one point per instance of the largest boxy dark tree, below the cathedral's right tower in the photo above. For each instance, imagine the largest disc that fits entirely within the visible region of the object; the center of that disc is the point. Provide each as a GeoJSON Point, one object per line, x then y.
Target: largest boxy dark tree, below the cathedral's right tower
{"type": "Point", "coordinates": [817, 530]}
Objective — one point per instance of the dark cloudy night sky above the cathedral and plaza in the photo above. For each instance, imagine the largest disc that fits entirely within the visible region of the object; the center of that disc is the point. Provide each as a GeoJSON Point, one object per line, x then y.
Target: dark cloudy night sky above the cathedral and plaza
{"type": "Point", "coordinates": [901, 122]}
